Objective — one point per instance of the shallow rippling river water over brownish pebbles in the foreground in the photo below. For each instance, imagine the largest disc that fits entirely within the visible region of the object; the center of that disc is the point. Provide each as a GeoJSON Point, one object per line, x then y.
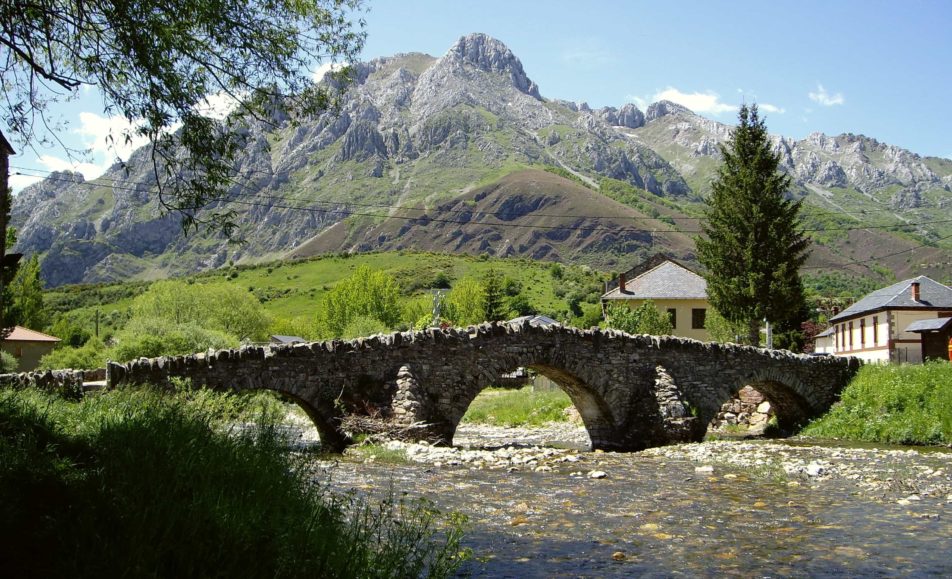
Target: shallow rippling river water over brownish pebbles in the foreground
{"type": "Point", "coordinates": [661, 516]}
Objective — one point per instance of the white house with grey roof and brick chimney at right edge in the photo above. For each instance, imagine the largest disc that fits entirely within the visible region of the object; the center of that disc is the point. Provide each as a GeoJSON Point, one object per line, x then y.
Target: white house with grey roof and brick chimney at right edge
{"type": "Point", "coordinates": [905, 322]}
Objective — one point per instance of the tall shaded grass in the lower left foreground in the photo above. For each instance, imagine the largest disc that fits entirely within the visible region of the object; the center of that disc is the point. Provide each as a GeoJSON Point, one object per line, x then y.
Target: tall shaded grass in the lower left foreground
{"type": "Point", "coordinates": [141, 484]}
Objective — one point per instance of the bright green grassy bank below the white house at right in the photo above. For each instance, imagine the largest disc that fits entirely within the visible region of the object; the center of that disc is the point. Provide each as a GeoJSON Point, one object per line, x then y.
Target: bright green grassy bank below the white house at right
{"type": "Point", "coordinates": [908, 404]}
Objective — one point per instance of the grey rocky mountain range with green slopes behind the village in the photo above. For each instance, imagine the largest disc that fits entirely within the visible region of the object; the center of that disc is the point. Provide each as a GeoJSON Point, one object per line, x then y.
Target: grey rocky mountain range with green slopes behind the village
{"type": "Point", "coordinates": [463, 153]}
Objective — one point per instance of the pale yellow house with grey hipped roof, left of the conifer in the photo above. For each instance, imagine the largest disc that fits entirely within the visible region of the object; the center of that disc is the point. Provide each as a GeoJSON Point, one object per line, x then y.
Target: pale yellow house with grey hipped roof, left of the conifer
{"type": "Point", "coordinates": [674, 288]}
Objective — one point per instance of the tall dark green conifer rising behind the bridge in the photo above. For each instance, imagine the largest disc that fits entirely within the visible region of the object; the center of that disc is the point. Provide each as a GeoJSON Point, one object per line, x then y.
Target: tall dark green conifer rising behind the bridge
{"type": "Point", "coordinates": [752, 244]}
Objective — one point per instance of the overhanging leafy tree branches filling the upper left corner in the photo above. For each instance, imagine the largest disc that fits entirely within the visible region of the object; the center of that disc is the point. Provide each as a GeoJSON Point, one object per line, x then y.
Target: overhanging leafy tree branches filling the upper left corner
{"type": "Point", "coordinates": [156, 63]}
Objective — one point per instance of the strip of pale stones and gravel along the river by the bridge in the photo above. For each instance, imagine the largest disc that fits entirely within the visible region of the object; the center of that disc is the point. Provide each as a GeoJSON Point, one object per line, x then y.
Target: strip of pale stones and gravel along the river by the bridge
{"type": "Point", "coordinates": [885, 474]}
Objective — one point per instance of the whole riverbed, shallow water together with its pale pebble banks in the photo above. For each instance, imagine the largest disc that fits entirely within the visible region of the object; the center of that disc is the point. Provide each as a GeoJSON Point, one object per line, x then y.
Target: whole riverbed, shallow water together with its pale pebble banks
{"type": "Point", "coordinates": [540, 504]}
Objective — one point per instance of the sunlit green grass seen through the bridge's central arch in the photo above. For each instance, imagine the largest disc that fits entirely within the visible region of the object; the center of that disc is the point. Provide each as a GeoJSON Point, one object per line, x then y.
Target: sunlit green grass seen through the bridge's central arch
{"type": "Point", "coordinates": [523, 407]}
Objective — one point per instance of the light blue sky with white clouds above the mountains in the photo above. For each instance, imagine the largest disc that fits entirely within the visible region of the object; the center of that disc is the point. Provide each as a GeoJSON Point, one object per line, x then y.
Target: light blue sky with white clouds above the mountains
{"type": "Point", "coordinates": [871, 67]}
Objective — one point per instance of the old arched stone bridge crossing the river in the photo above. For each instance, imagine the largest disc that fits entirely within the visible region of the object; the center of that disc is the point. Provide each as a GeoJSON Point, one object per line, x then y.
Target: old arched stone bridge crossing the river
{"type": "Point", "coordinates": [632, 392]}
